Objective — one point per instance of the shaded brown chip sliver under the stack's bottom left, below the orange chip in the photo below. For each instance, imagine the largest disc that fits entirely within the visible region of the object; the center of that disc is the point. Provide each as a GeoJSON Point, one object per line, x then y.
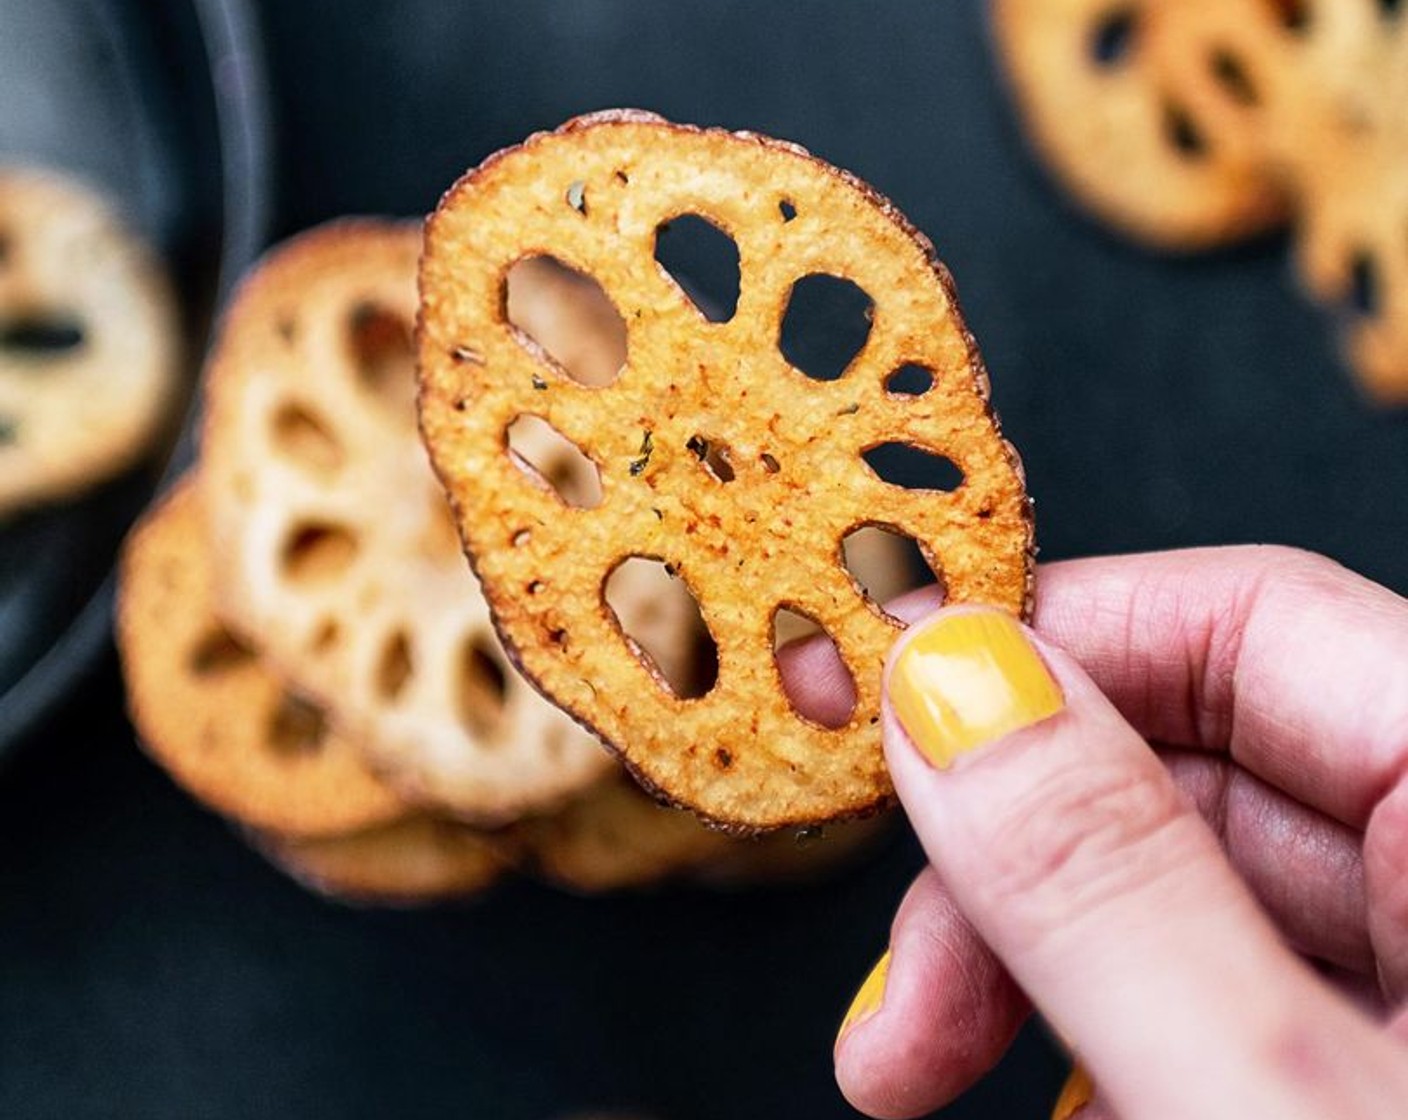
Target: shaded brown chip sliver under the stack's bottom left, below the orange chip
{"type": "Point", "coordinates": [415, 861]}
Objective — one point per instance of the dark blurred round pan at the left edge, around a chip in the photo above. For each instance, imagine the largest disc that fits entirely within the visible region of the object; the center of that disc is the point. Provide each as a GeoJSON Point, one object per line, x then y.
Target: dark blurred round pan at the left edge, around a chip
{"type": "Point", "coordinates": [161, 104]}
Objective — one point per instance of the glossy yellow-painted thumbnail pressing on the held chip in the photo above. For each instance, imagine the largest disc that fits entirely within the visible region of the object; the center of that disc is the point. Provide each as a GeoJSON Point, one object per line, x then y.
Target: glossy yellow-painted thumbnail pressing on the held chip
{"type": "Point", "coordinates": [967, 678]}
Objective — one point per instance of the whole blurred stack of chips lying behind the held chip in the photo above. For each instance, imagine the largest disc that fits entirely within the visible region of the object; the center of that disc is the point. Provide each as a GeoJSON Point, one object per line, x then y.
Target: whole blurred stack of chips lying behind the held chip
{"type": "Point", "coordinates": [309, 653]}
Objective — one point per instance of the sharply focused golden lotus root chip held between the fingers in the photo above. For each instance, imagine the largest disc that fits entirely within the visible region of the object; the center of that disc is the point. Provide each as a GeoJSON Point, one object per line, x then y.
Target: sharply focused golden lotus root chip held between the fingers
{"type": "Point", "coordinates": [716, 456]}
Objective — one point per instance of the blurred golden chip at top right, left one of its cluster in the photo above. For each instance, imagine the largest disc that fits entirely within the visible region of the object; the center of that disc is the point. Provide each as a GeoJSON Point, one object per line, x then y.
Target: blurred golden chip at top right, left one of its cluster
{"type": "Point", "coordinates": [1150, 112]}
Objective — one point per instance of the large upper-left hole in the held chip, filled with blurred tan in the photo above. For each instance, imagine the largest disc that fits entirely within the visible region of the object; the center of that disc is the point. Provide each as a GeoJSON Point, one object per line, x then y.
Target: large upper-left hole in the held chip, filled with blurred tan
{"type": "Point", "coordinates": [565, 321]}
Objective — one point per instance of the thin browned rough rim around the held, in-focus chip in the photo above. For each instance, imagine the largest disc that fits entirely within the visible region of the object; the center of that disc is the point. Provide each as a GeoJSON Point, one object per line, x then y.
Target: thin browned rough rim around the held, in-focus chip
{"type": "Point", "coordinates": [606, 119]}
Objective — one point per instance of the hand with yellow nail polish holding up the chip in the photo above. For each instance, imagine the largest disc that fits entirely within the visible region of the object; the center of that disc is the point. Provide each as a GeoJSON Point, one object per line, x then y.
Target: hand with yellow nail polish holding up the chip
{"type": "Point", "coordinates": [1159, 909]}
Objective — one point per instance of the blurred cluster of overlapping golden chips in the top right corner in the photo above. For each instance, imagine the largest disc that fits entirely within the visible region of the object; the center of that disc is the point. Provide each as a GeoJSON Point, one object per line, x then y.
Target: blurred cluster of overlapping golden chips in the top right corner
{"type": "Point", "coordinates": [1202, 123]}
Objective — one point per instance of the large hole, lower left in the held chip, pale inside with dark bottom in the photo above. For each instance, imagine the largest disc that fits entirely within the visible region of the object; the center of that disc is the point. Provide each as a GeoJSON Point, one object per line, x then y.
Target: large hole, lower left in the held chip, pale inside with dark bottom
{"type": "Point", "coordinates": [660, 618]}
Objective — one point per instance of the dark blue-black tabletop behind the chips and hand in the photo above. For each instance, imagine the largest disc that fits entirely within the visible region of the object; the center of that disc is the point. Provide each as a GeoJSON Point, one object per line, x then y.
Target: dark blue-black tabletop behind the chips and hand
{"type": "Point", "coordinates": [154, 967]}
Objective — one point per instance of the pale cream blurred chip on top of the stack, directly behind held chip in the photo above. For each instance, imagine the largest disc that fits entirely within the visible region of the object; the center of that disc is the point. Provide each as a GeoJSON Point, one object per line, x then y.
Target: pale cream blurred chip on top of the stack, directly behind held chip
{"type": "Point", "coordinates": [337, 547]}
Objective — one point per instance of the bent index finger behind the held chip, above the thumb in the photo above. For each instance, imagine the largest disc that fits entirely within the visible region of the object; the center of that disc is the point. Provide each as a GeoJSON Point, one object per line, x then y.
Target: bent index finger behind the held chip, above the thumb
{"type": "Point", "coordinates": [1289, 661]}
